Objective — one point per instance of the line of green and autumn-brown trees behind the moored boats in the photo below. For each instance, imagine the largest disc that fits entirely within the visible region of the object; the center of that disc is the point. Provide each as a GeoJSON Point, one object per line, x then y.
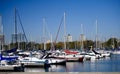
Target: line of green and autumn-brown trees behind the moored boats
{"type": "Point", "coordinates": [111, 43]}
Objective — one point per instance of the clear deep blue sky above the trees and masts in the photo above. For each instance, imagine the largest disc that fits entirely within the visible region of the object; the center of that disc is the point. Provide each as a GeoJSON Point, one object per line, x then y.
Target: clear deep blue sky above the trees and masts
{"type": "Point", "coordinates": [86, 12]}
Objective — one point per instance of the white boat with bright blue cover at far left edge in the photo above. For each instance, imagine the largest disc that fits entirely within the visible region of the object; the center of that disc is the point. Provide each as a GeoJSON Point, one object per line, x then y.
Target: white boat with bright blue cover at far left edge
{"type": "Point", "coordinates": [6, 62]}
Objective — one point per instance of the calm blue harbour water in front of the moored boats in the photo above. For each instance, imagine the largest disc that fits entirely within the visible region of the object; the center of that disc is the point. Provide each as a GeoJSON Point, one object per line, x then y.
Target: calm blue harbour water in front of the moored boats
{"type": "Point", "coordinates": [109, 64]}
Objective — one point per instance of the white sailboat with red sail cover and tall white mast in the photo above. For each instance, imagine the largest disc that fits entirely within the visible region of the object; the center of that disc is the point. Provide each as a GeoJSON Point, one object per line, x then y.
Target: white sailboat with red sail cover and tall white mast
{"type": "Point", "coordinates": [70, 55]}
